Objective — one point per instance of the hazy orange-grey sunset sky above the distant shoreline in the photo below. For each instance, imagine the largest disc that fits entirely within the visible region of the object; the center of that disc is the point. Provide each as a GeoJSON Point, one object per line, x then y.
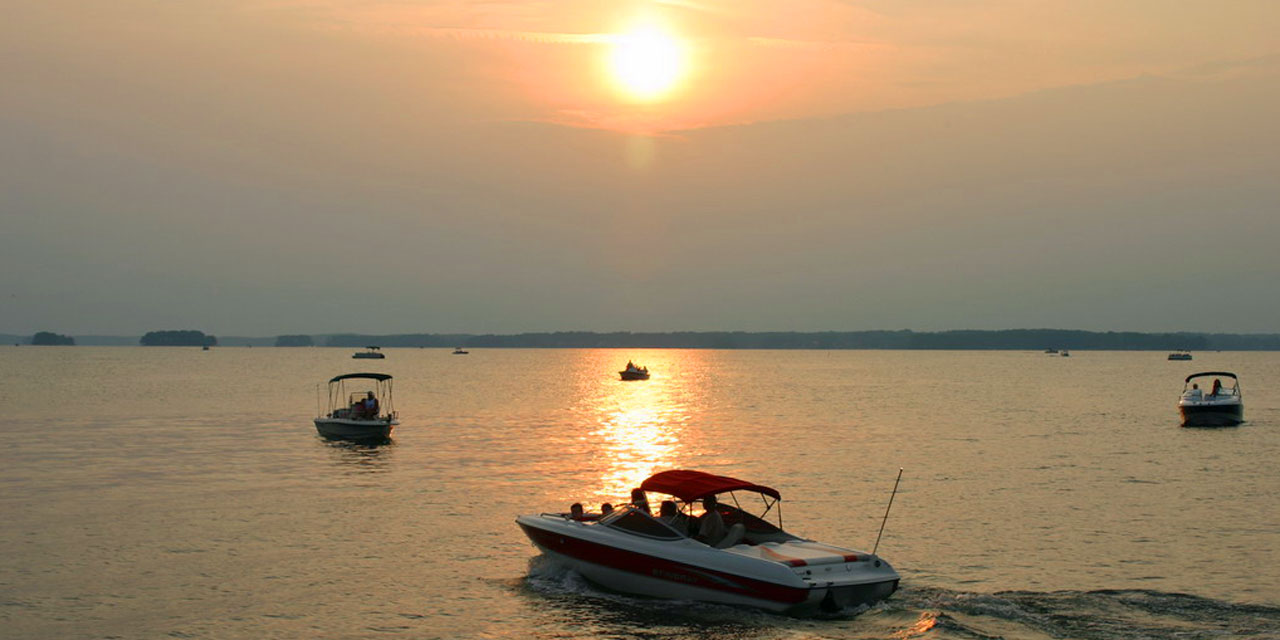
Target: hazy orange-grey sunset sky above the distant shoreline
{"type": "Point", "coordinates": [266, 167]}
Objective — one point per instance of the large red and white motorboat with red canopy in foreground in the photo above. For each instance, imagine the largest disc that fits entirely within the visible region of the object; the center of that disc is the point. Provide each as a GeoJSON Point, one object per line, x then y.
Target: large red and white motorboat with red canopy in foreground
{"type": "Point", "coordinates": [756, 564]}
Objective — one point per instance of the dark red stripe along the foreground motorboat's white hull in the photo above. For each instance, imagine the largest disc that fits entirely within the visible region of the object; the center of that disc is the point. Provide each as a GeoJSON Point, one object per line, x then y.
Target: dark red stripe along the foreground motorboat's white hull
{"type": "Point", "coordinates": [662, 569]}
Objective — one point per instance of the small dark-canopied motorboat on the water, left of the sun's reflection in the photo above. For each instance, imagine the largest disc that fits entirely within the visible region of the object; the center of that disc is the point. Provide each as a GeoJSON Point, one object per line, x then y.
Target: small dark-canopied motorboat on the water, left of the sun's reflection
{"type": "Point", "coordinates": [363, 413]}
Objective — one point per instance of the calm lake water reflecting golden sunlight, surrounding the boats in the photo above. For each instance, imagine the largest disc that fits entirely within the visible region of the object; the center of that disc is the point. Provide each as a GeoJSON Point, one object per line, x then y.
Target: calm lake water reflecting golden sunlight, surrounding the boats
{"type": "Point", "coordinates": [177, 493]}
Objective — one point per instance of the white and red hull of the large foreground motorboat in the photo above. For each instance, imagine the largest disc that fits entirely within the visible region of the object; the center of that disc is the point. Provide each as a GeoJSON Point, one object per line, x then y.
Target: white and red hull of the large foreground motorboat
{"type": "Point", "coordinates": [657, 577]}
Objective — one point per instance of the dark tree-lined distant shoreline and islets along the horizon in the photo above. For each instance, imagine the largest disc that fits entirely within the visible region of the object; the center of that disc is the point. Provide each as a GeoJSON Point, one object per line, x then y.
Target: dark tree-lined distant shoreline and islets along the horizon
{"type": "Point", "coordinates": [1007, 340]}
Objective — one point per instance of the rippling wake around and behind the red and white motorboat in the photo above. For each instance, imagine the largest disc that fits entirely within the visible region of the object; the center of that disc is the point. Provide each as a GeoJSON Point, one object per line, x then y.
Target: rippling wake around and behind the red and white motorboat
{"type": "Point", "coordinates": [921, 614]}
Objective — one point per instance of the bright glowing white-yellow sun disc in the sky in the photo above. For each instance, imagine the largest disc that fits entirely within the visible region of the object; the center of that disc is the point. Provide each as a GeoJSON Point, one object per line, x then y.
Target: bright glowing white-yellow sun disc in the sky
{"type": "Point", "coordinates": [647, 63]}
